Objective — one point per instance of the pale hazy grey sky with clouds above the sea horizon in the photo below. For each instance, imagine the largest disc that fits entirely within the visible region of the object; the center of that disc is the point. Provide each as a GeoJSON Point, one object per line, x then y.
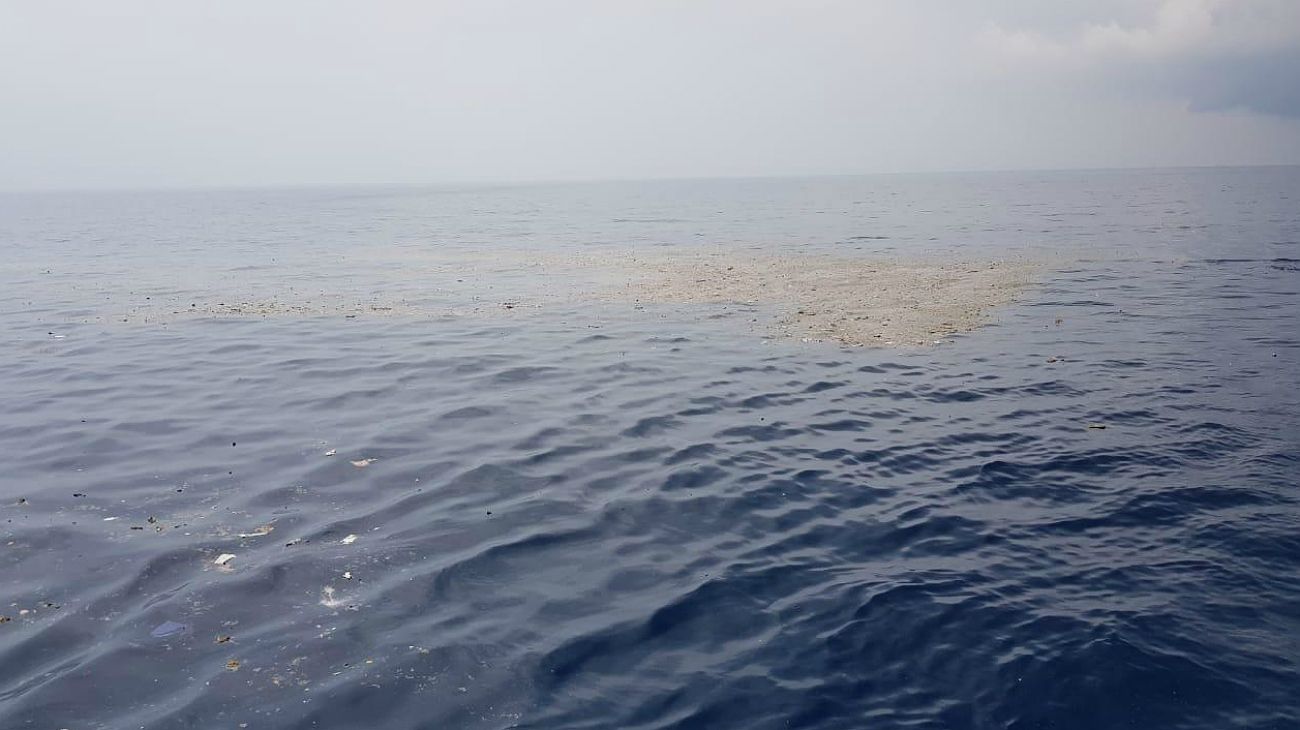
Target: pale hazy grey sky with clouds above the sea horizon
{"type": "Point", "coordinates": [193, 93]}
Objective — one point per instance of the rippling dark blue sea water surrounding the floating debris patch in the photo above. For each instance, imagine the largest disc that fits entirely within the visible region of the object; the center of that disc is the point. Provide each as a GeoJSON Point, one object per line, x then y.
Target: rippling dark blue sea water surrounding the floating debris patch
{"type": "Point", "coordinates": [604, 516]}
